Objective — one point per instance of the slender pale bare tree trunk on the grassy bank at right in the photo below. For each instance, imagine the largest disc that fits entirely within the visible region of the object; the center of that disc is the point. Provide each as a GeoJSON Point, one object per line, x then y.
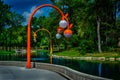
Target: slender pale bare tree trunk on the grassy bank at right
{"type": "Point", "coordinates": [98, 35]}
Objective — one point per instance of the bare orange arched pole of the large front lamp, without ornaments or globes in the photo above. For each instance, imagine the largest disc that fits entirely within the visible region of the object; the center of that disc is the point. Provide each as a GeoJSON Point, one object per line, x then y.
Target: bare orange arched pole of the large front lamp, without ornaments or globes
{"type": "Point", "coordinates": [28, 65]}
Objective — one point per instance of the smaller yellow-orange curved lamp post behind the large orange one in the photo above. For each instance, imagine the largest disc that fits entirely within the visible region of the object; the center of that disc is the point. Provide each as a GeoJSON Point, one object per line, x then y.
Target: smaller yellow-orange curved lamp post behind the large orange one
{"type": "Point", "coordinates": [51, 50]}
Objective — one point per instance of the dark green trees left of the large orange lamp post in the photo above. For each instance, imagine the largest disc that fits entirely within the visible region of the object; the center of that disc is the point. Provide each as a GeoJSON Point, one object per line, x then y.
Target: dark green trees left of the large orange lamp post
{"type": "Point", "coordinates": [10, 27]}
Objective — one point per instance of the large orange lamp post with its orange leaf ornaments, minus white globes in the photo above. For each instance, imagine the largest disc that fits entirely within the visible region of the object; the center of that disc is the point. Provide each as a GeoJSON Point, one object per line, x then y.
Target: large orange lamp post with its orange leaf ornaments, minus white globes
{"type": "Point", "coordinates": [63, 17]}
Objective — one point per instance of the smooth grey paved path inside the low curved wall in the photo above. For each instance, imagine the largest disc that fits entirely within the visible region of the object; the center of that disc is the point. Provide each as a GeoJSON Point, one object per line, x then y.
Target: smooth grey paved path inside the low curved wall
{"type": "Point", "coordinates": [21, 73]}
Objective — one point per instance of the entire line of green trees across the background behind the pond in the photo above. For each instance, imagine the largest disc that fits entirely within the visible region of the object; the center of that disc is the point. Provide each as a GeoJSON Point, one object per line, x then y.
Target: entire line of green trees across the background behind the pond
{"type": "Point", "coordinates": [96, 26]}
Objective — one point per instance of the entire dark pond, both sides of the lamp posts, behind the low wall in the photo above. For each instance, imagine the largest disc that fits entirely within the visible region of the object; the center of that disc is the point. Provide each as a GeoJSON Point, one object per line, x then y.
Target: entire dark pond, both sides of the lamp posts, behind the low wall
{"type": "Point", "coordinates": [105, 69]}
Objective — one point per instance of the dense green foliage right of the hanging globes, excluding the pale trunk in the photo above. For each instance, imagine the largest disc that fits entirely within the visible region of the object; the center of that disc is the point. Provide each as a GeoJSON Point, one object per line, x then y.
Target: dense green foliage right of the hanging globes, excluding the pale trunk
{"type": "Point", "coordinates": [84, 15]}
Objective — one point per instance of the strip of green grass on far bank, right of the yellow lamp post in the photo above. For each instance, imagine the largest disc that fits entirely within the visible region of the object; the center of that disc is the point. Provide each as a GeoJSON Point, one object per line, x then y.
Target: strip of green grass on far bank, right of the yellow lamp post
{"type": "Point", "coordinates": [75, 53]}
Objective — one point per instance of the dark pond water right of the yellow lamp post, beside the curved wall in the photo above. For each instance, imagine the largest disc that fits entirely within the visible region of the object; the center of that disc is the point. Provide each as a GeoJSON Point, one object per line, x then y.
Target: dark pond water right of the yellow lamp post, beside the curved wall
{"type": "Point", "coordinates": [105, 69]}
